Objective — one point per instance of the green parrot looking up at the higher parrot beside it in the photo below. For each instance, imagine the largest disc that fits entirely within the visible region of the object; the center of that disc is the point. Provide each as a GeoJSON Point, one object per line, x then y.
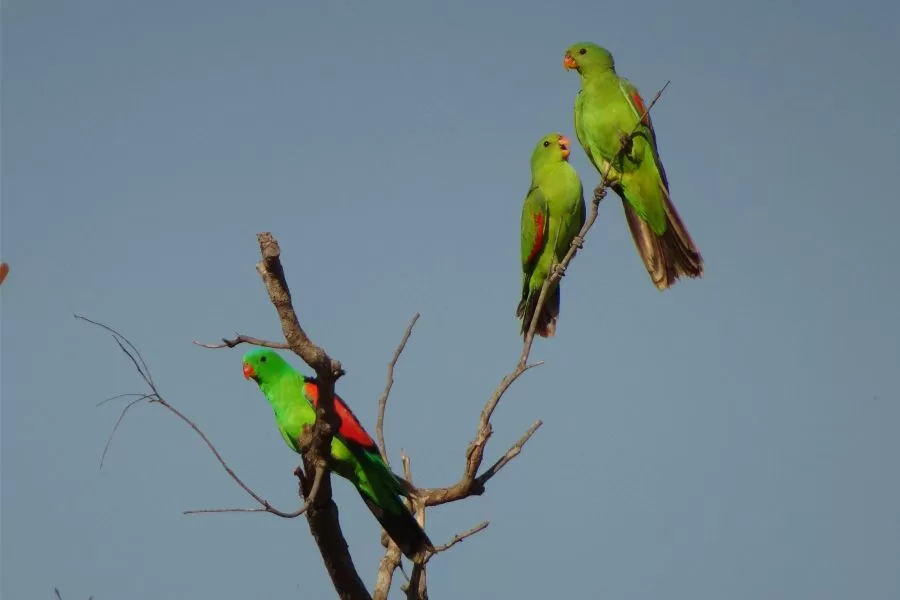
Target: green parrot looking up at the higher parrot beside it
{"type": "Point", "coordinates": [552, 216]}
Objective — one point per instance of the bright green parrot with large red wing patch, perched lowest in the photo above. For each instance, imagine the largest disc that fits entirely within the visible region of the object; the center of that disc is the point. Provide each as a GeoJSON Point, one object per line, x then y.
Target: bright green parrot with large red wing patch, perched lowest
{"type": "Point", "coordinates": [354, 456]}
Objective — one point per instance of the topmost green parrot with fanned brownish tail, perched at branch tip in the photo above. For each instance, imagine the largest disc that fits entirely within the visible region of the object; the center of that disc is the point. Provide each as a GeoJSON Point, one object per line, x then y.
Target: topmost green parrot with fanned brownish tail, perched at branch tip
{"type": "Point", "coordinates": [607, 109]}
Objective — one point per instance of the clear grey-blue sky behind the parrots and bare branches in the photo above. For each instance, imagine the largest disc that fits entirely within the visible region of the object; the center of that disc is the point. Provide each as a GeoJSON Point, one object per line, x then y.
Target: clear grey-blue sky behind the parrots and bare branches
{"type": "Point", "coordinates": [735, 437]}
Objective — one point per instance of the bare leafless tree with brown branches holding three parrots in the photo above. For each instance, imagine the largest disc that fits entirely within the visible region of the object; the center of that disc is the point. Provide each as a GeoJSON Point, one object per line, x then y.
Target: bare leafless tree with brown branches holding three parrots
{"type": "Point", "coordinates": [313, 474]}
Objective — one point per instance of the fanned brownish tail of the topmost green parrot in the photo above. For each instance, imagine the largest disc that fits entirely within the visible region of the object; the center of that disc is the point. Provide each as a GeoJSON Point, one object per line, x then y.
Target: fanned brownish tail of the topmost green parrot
{"type": "Point", "coordinates": [669, 256]}
